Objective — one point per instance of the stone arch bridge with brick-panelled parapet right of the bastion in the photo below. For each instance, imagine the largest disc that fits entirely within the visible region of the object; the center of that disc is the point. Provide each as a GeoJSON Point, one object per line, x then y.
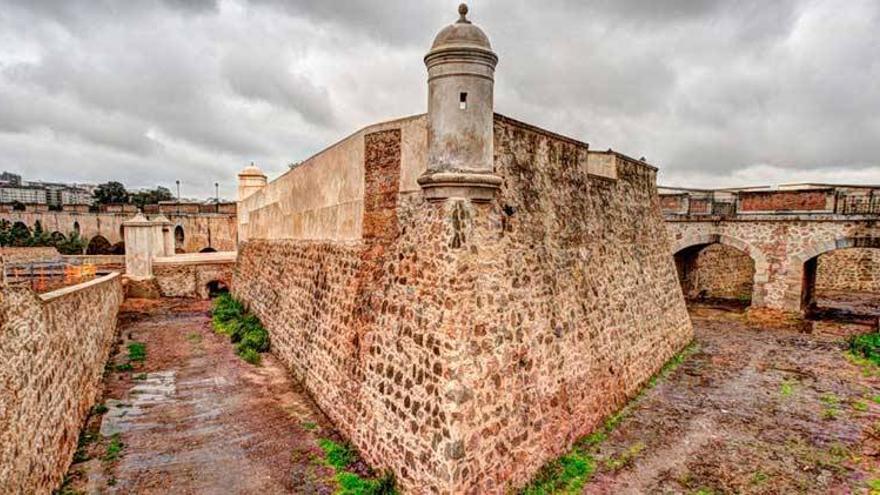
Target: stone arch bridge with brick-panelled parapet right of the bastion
{"type": "Point", "coordinates": [782, 231]}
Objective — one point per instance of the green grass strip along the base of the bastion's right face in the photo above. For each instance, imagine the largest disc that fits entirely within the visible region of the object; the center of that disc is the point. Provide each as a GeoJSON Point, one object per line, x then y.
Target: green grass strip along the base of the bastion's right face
{"type": "Point", "coordinates": [569, 473]}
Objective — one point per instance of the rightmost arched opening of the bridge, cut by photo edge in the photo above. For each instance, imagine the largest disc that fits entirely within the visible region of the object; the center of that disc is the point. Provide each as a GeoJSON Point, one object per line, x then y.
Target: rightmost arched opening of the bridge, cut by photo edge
{"type": "Point", "coordinates": [842, 284]}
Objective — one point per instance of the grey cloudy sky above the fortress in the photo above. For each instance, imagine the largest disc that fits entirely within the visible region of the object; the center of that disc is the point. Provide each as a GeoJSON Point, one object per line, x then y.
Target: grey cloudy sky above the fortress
{"type": "Point", "coordinates": [724, 93]}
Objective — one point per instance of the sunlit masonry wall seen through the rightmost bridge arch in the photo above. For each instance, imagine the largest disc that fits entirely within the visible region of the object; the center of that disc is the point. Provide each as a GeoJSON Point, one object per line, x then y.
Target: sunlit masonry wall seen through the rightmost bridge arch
{"type": "Point", "coordinates": [855, 269]}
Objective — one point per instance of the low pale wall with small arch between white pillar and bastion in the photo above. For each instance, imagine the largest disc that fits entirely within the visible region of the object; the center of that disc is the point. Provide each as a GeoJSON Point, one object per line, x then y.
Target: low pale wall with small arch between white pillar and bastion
{"type": "Point", "coordinates": [189, 275]}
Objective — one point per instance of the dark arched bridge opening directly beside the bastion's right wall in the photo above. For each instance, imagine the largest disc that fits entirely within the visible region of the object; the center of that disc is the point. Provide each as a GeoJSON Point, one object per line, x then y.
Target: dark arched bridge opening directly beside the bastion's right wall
{"type": "Point", "coordinates": [716, 273]}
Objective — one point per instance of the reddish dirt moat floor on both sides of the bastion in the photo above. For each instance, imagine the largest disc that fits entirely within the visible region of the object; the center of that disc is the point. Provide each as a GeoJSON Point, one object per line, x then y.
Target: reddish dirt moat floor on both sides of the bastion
{"type": "Point", "coordinates": [751, 408]}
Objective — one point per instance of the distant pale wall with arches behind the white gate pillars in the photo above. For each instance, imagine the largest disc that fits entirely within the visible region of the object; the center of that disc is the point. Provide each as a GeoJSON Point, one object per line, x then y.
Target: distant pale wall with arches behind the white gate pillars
{"type": "Point", "coordinates": [195, 231]}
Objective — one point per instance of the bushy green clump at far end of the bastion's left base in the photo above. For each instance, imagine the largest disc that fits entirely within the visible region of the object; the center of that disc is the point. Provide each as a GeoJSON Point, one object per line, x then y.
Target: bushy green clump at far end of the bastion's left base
{"type": "Point", "coordinates": [244, 329]}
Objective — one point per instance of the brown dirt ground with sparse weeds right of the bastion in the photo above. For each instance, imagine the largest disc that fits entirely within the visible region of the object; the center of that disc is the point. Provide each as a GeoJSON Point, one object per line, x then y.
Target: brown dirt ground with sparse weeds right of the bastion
{"type": "Point", "coordinates": [752, 411]}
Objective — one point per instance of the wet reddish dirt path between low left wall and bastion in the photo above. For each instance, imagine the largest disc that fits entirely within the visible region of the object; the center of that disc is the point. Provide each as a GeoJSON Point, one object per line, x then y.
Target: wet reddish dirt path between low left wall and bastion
{"type": "Point", "coordinates": [194, 418]}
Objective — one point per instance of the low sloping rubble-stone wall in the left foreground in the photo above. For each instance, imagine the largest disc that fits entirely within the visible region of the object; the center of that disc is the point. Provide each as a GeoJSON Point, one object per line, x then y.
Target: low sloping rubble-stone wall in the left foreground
{"type": "Point", "coordinates": [53, 349]}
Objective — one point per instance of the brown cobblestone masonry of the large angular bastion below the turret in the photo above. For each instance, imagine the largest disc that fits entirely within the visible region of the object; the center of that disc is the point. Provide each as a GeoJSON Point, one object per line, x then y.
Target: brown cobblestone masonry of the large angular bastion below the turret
{"type": "Point", "coordinates": [461, 345]}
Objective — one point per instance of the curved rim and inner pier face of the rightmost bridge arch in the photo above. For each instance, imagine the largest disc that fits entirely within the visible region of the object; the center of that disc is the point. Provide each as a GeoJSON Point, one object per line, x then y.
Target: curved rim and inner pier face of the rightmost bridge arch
{"type": "Point", "coordinates": [801, 275]}
